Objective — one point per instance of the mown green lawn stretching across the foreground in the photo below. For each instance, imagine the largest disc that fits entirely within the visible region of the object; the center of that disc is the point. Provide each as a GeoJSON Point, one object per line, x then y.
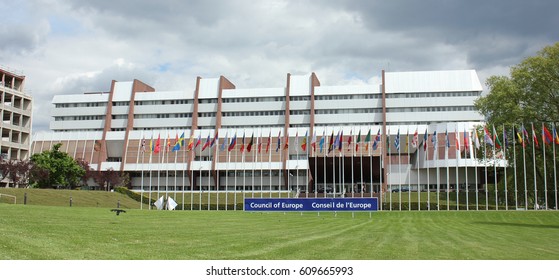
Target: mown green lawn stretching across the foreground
{"type": "Point", "coordinates": [81, 233]}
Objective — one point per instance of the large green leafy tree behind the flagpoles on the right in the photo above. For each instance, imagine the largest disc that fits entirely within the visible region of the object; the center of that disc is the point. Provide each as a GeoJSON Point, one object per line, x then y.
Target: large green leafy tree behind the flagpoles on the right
{"type": "Point", "coordinates": [529, 97]}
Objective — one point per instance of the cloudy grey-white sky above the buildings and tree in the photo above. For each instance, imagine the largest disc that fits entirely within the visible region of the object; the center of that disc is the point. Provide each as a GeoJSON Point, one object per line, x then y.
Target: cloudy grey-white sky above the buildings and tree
{"type": "Point", "coordinates": [71, 47]}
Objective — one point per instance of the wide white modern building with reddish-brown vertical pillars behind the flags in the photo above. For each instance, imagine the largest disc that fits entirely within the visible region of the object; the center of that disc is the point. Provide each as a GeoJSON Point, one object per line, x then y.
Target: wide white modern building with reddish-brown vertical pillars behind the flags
{"type": "Point", "coordinates": [135, 129]}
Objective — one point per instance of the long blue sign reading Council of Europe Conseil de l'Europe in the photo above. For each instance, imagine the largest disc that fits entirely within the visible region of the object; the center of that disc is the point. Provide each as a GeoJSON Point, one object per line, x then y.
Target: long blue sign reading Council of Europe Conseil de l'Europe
{"type": "Point", "coordinates": [311, 204]}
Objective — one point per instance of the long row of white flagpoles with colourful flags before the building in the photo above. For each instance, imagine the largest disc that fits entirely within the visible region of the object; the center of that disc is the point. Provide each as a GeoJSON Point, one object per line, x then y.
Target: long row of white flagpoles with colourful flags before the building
{"type": "Point", "coordinates": [337, 142]}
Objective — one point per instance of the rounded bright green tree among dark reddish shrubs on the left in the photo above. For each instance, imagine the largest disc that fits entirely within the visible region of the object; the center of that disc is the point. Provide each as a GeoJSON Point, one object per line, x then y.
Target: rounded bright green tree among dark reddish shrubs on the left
{"type": "Point", "coordinates": [54, 168]}
